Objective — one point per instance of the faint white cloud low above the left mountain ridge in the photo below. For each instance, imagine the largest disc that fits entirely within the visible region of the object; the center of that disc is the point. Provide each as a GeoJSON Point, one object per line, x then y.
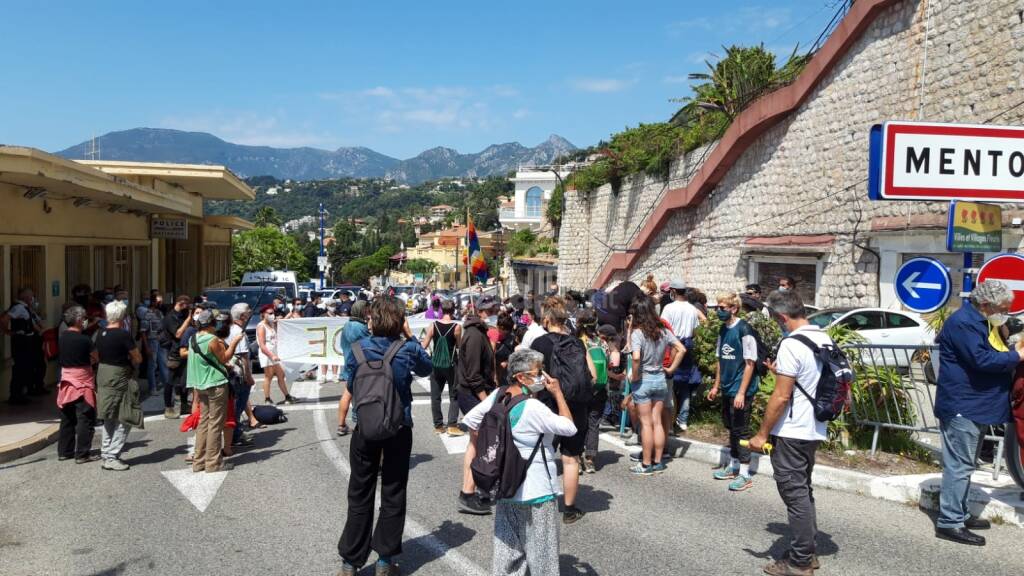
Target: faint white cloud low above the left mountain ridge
{"type": "Point", "coordinates": [250, 129]}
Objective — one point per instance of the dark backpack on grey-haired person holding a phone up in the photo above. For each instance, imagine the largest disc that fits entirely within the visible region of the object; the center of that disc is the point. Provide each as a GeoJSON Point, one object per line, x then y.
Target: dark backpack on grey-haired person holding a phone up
{"type": "Point", "coordinates": [499, 470]}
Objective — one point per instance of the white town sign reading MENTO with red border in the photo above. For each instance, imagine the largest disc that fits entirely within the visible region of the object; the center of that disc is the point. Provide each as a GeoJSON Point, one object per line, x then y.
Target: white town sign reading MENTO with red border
{"type": "Point", "coordinates": [923, 161]}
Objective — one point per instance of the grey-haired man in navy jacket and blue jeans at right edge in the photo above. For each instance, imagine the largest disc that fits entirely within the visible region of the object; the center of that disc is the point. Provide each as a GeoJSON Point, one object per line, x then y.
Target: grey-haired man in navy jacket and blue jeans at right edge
{"type": "Point", "coordinates": [975, 378]}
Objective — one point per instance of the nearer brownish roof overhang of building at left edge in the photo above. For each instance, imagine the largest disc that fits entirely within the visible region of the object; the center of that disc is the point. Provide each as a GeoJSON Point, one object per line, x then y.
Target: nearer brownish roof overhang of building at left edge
{"type": "Point", "coordinates": [44, 175]}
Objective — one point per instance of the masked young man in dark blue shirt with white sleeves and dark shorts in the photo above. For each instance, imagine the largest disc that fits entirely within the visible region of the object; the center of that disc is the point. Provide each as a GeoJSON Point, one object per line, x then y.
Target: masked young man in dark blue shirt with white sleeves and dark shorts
{"type": "Point", "coordinates": [737, 378]}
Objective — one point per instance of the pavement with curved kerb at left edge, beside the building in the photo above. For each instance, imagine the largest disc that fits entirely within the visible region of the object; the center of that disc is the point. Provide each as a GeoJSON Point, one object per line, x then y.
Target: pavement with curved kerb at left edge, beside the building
{"type": "Point", "coordinates": [28, 429]}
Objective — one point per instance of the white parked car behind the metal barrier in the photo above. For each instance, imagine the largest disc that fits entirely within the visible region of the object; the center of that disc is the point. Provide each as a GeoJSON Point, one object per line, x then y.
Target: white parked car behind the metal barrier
{"type": "Point", "coordinates": [881, 327]}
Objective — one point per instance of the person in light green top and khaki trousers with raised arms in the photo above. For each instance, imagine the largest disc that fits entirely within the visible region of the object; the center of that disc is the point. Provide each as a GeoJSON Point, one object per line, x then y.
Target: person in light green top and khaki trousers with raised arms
{"type": "Point", "coordinates": [208, 361]}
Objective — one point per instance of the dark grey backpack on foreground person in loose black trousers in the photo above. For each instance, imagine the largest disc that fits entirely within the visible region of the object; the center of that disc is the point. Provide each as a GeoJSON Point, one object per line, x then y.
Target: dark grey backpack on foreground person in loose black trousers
{"type": "Point", "coordinates": [375, 396]}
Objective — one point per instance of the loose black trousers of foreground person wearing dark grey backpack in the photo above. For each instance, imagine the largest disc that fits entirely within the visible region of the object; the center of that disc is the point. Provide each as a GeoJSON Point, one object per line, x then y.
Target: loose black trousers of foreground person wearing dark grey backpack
{"type": "Point", "coordinates": [391, 460]}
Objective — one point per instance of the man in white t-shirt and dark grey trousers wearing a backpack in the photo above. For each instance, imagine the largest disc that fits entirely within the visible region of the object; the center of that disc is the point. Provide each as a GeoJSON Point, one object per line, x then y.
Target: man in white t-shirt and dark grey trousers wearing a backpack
{"type": "Point", "coordinates": [795, 433]}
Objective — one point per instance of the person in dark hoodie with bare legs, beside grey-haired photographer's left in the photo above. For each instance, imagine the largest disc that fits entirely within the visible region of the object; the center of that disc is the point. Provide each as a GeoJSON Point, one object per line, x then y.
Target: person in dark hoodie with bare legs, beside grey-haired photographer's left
{"type": "Point", "coordinates": [477, 381]}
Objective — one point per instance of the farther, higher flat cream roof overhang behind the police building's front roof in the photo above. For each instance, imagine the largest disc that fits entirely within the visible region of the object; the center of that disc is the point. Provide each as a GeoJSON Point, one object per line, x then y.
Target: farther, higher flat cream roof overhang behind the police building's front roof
{"type": "Point", "coordinates": [210, 182]}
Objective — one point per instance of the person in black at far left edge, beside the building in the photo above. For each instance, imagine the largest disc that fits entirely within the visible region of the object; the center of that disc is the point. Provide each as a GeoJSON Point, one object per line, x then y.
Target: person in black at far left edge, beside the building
{"type": "Point", "coordinates": [22, 322]}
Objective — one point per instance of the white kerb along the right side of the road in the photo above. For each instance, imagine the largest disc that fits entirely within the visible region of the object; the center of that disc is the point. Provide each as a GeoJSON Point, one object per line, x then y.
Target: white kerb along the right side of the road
{"type": "Point", "coordinates": [1002, 506]}
